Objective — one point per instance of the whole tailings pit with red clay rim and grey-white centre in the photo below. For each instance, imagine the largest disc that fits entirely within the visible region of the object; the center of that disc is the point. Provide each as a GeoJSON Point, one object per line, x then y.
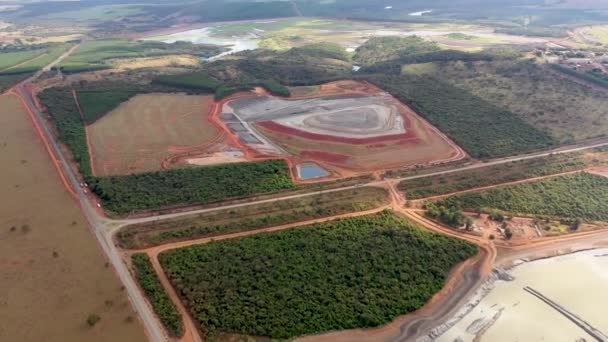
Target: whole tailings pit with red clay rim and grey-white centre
{"type": "Point", "coordinates": [361, 130]}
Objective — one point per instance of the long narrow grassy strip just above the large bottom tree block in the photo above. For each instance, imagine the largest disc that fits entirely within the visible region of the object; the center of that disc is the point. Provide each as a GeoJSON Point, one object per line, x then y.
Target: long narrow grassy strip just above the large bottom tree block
{"type": "Point", "coordinates": [251, 217]}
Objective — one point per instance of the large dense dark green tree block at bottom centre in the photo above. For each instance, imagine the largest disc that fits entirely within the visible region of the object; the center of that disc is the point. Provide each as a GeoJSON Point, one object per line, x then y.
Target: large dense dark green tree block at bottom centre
{"type": "Point", "coordinates": [350, 273]}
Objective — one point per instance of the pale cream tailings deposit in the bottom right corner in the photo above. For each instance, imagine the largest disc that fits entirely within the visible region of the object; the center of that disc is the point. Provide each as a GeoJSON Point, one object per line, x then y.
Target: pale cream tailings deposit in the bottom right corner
{"type": "Point", "coordinates": [503, 311]}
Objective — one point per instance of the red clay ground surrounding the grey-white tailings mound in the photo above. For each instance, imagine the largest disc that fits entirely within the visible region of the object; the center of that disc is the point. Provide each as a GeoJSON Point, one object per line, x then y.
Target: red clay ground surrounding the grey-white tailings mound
{"type": "Point", "coordinates": [422, 144]}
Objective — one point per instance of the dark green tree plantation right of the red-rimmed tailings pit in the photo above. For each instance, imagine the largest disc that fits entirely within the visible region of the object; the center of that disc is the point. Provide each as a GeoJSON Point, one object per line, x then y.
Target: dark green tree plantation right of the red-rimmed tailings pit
{"type": "Point", "coordinates": [482, 129]}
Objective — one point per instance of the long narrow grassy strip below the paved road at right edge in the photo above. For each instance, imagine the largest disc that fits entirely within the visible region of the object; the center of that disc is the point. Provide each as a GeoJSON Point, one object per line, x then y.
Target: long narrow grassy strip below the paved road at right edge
{"type": "Point", "coordinates": [459, 181]}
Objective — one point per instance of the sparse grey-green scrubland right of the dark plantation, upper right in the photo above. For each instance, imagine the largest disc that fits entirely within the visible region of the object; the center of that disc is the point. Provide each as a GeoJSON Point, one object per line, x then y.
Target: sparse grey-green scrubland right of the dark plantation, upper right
{"type": "Point", "coordinates": [552, 103]}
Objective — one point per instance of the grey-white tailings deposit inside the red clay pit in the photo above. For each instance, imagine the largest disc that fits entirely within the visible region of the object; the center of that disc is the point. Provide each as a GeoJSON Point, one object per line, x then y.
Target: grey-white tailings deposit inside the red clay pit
{"type": "Point", "coordinates": [351, 117]}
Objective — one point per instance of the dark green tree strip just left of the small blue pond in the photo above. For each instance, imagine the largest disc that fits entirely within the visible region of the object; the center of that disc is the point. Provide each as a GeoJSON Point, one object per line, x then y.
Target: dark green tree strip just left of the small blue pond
{"type": "Point", "coordinates": [201, 185]}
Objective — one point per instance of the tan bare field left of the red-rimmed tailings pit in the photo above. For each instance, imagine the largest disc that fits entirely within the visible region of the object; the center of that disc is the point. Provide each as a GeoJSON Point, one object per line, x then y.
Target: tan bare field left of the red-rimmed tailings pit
{"type": "Point", "coordinates": [144, 132]}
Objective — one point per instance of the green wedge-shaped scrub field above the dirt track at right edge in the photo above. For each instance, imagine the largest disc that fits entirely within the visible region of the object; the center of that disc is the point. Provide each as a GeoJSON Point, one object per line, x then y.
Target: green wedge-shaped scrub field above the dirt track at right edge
{"type": "Point", "coordinates": [579, 196]}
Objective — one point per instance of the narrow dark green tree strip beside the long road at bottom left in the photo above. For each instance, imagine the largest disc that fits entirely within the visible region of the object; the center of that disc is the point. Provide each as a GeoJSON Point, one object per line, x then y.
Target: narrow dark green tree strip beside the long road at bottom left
{"type": "Point", "coordinates": [161, 303]}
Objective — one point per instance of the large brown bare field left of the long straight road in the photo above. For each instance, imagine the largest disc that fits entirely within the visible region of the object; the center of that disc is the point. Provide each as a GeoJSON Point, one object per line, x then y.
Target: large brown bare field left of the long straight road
{"type": "Point", "coordinates": [53, 273]}
